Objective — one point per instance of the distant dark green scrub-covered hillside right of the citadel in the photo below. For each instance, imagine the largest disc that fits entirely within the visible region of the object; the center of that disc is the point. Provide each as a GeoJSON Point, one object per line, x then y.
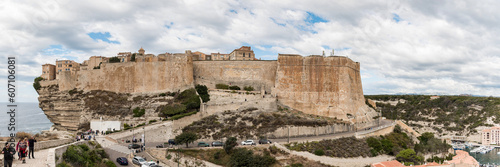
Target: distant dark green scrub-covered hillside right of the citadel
{"type": "Point", "coordinates": [460, 114]}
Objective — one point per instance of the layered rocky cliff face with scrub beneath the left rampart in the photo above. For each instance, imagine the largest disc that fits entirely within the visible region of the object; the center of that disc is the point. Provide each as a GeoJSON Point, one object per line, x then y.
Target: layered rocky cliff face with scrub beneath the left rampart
{"type": "Point", "coordinates": [74, 109]}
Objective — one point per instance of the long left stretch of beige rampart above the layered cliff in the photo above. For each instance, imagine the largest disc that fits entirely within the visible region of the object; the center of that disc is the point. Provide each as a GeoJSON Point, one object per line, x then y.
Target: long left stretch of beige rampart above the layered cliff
{"type": "Point", "coordinates": [176, 73]}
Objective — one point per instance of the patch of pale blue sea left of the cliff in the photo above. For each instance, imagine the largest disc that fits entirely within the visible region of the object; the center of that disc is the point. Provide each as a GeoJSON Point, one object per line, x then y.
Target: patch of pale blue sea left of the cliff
{"type": "Point", "coordinates": [29, 118]}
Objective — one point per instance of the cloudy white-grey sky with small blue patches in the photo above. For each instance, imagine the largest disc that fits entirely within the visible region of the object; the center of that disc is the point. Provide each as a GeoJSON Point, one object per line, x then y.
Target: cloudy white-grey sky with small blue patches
{"type": "Point", "coordinates": [404, 47]}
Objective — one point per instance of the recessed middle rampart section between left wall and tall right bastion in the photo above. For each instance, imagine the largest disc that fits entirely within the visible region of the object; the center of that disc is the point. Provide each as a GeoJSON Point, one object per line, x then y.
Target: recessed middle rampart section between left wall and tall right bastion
{"type": "Point", "coordinates": [257, 74]}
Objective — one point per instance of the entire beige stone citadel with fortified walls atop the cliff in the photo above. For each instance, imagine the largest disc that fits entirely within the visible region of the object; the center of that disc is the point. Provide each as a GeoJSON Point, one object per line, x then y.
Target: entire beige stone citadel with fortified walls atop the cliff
{"type": "Point", "coordinates": [317, 84]}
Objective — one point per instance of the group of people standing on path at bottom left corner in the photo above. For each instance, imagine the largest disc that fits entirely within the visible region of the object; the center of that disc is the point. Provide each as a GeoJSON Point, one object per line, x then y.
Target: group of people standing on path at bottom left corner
{"type": "Point", "coordinates": [23, 148]}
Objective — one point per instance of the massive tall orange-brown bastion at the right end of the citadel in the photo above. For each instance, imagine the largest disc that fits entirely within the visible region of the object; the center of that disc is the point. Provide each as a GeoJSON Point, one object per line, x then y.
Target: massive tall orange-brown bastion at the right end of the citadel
{"type": "Point", "coordinates": [327, 86]}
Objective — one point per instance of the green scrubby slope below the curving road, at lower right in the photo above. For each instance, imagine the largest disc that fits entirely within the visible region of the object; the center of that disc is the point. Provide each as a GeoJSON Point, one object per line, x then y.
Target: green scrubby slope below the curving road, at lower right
{"type": "Point", "coordinates": [397, 144]}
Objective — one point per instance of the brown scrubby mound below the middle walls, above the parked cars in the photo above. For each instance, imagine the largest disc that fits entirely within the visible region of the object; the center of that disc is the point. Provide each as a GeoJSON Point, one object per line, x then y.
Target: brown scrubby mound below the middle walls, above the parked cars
{"type": "Point", "coordinates": [249, 123]}
